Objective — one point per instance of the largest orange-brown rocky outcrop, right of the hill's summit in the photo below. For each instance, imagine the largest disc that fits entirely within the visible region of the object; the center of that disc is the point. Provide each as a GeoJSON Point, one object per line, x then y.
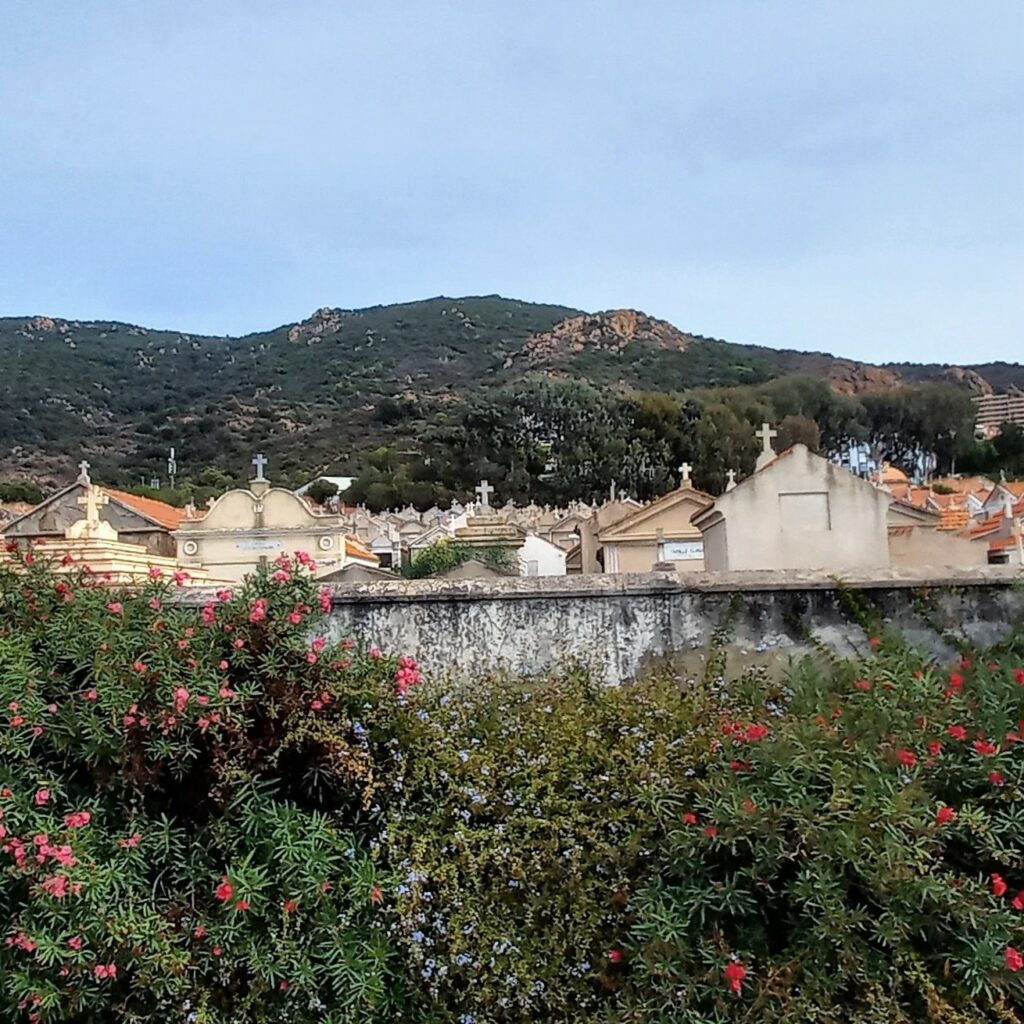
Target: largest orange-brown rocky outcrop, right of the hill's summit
{"type": "Point", "coordinates": [612, 332]}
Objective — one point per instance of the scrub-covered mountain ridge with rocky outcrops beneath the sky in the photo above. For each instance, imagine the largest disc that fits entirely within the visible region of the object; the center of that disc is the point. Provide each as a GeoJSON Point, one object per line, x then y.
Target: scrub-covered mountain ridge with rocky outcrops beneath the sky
{"type": "Point", "coordinates": [340, 381]}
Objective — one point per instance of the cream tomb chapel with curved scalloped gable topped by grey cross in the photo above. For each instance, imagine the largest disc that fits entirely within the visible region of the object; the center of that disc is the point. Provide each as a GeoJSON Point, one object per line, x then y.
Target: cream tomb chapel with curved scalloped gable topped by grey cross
{"type": "Point", "coordinates": [250, 527]}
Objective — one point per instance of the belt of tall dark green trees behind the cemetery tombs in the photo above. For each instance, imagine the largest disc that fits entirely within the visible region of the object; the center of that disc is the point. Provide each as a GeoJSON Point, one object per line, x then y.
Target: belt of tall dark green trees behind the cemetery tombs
{"type": "Point", "coordinates": [558, 441]}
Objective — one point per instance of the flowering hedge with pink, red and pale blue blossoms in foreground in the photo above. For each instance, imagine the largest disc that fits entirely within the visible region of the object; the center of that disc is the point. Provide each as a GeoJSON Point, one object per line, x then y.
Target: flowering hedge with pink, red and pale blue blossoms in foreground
{"type": "Point", "coordinates": [218, 815]}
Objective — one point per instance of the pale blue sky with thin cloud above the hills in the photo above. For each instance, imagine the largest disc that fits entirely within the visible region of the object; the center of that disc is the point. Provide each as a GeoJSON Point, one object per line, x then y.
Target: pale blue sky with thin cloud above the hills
{"type": "Point", "coordinates": [824, 176]}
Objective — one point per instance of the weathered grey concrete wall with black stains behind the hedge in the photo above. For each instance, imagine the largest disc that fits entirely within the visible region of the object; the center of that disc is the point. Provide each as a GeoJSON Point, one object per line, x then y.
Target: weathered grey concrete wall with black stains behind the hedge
{"type": "Point", "coordinates": [618, 624]}
